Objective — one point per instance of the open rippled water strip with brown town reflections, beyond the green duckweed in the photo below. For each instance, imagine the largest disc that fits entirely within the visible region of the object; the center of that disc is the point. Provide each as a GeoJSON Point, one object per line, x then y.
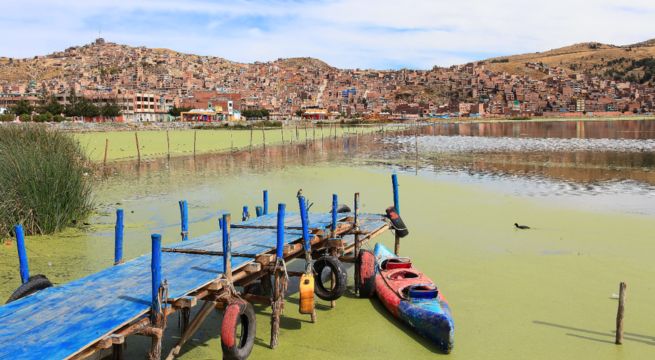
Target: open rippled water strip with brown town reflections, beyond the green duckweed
{"type": "Point", "coordinates": [613, 163]}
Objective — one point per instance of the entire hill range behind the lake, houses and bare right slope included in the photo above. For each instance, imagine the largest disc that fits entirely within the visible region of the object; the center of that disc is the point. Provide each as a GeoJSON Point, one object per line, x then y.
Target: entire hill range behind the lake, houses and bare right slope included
{"type": "Point", "coordinates": [581, 78]}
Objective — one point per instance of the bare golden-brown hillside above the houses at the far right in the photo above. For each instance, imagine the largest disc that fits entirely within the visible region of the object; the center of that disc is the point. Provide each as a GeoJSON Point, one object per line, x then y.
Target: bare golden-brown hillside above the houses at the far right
{"type": "Point", "coordinates": [593, 58]}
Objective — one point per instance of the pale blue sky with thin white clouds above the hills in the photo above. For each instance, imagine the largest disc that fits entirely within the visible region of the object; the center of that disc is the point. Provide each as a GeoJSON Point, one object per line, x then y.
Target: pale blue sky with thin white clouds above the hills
{"type": "Point", "coordinates": [377, 34]}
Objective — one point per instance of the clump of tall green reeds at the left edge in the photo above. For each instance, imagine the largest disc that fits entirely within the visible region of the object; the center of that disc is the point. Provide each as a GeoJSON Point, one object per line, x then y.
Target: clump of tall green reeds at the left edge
{"type": "Point", "coordinates": [44, 182]}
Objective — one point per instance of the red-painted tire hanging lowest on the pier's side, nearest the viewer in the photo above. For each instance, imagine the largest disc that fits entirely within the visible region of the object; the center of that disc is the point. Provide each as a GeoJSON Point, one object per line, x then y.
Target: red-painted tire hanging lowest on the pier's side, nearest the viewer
{"type": "Point", "coordinates": [238, 345]}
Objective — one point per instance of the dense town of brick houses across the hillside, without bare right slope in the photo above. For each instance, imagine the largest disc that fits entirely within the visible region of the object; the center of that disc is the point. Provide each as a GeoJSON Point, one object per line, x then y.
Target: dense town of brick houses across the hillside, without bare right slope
{"type": "Point", "coordinates": [148, 84]}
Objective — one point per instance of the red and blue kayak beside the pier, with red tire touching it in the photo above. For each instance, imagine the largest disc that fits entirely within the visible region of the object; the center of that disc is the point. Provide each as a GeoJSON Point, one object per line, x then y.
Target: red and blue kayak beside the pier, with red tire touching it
{"type": "Point", "coordinates": [408, 294]}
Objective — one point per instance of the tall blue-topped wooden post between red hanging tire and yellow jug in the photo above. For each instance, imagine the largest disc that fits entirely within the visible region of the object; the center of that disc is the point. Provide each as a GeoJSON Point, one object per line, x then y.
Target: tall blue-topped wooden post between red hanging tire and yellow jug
{"type": "Point", "coordinates": [279, 286]}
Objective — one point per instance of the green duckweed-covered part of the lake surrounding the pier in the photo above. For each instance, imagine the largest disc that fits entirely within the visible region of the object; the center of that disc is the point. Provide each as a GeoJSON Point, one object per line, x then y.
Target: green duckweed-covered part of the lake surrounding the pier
{"type": "Point", "coordinates": [544, 293]}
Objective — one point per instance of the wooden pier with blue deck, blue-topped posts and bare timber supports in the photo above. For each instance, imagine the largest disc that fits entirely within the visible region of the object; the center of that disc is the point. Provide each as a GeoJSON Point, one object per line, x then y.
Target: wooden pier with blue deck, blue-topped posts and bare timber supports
{"type": "Point", "coordinates": [96, 313]}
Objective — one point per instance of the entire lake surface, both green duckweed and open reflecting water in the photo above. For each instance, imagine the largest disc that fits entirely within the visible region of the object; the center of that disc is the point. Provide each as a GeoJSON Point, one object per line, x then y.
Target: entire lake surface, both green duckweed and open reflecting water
{"type": "Point", "coordinates": [586, 189]}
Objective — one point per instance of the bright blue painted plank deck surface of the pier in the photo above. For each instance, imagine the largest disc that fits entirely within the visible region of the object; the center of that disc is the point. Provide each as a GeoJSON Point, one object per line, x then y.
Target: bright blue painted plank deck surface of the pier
{"type": "Point", "coordinates": [76, 319]}
